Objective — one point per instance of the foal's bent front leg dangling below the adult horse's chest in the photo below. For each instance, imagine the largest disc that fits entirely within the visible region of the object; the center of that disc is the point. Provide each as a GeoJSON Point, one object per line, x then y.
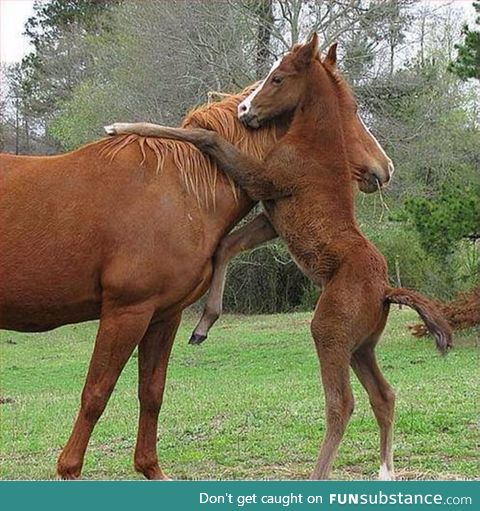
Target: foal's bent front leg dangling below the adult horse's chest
{"type": "Point", "coordinates": [255, 233]}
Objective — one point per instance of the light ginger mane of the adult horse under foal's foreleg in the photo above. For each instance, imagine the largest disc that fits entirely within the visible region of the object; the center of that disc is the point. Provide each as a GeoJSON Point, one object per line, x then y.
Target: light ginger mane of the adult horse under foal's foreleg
{"type": "Point", "coordinates": [200, 174]}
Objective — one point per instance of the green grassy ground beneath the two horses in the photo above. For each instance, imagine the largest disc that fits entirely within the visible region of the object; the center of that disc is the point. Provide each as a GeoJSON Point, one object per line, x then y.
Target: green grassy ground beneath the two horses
{"type": "Point", "coordinates": [245, 405]}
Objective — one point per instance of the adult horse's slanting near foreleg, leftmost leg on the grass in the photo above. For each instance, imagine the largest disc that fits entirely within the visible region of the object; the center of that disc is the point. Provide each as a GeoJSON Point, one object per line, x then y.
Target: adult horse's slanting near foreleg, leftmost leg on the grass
{"type": "Point", "coordinates": [119, 332]}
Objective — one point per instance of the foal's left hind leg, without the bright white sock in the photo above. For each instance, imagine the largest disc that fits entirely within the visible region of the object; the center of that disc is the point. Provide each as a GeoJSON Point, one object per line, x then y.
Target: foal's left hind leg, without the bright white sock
{"type": "Point", "coordinates": [333, 348]}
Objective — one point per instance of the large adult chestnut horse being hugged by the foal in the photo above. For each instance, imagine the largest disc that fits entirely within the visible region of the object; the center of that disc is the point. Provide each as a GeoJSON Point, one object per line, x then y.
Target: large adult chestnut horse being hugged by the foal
{"type": "Point", "coordinates": [124, 230]}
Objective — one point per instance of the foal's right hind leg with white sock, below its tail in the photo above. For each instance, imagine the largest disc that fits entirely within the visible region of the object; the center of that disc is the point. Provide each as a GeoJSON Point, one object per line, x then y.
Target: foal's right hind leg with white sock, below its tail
{"type": "Point", "coordinates": [382, 401]}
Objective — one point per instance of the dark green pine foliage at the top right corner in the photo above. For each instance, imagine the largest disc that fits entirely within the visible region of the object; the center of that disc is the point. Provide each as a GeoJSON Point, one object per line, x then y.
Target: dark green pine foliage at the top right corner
{"type": "Point", "coordinates": [467, 64]}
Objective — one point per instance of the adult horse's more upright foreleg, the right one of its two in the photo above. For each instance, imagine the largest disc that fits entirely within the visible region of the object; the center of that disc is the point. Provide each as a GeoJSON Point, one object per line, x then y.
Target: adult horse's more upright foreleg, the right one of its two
{"type": "Point", "coordinates": [153, 356]}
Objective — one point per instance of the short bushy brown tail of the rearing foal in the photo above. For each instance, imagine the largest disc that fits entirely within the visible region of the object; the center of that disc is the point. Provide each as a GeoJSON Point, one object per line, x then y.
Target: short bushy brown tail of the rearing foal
{"type": "Point", "coordinates": [436, 324]}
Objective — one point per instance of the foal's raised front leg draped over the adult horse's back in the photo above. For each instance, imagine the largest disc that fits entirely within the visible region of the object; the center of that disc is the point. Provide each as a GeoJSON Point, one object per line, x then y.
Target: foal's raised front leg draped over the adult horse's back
{"type": "Point", "coordinates": [261, 181]}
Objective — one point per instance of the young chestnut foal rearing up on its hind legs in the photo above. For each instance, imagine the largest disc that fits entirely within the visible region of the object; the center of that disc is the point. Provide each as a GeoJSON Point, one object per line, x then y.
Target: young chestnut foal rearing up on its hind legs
{"type": "Point", "coordinates": [305, 187]}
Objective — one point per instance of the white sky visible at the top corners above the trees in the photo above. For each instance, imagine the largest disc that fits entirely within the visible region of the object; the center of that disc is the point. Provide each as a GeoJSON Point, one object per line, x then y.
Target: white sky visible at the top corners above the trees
{"type": "Point", "coordinates": [14, 14]}
